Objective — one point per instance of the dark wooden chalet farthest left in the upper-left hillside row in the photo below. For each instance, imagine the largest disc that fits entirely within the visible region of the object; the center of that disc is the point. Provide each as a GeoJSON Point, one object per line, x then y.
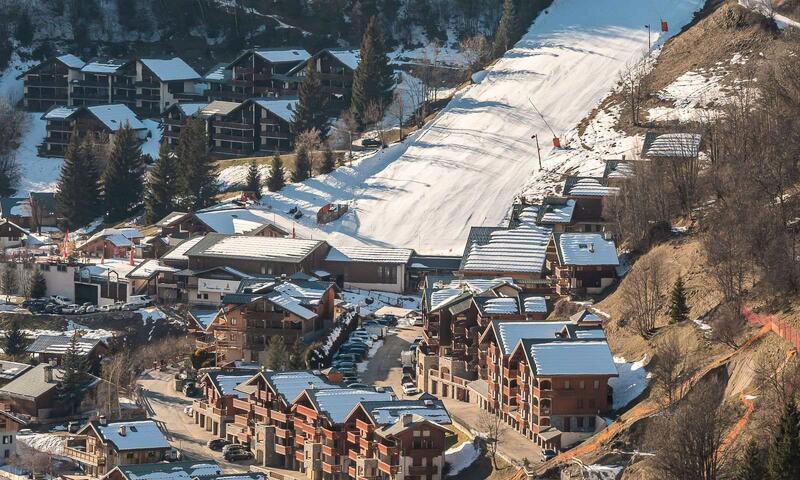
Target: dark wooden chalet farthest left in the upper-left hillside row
{"type": "Point", "coordinates": [48, 84]}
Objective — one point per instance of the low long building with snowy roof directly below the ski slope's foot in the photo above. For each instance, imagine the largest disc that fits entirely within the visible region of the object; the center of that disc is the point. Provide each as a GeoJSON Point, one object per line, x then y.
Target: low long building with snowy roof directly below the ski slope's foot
{"type": "Point", "coordinates": [368, 267]}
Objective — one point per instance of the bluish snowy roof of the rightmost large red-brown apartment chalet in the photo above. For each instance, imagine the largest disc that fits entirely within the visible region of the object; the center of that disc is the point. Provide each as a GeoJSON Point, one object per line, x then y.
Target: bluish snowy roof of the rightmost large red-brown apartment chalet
{"type": "Point", "coordinates": [571, 357]}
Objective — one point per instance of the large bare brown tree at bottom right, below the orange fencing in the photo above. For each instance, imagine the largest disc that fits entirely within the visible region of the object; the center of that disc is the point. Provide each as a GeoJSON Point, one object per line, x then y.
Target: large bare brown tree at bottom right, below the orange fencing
{"type": "Point", "coordinates": [687, 440]}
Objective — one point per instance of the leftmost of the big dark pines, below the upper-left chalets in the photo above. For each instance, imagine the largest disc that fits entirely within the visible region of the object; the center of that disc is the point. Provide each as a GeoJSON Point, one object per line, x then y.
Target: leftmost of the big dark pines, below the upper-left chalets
{"type": "Point", "coordinates": [78, 192]}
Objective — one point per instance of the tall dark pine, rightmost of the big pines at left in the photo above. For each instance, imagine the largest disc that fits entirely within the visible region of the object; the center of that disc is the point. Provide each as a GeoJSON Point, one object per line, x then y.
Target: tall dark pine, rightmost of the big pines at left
{"type": "Point", "coordinates": [197, 175]}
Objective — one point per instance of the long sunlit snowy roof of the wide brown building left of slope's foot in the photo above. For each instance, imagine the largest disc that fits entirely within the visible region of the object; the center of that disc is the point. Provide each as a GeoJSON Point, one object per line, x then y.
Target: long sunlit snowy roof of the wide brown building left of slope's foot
{"type": "Point", "coordinates": [291, 250]}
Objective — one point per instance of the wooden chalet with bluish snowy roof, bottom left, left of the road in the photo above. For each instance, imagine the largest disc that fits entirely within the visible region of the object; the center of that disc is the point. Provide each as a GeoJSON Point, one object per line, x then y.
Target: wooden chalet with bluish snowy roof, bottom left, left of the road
{"type": "Point", "coordinates": [100, 447]}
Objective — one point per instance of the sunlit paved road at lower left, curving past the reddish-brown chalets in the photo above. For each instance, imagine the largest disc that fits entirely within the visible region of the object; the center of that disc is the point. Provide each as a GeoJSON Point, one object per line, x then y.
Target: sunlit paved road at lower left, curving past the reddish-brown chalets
{"type": "Point", "coordinates": [167, 407]}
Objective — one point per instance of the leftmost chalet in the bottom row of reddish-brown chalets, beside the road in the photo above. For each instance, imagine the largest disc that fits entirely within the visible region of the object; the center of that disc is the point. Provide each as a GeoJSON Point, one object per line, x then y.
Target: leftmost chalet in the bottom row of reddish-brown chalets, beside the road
{"type": "Point", "coordinates": [215, 409]}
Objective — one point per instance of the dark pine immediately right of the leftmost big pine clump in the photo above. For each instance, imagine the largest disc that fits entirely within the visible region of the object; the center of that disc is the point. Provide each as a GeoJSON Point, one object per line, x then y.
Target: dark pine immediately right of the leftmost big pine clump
{"type": "Point", "coordinates": [123, 176]}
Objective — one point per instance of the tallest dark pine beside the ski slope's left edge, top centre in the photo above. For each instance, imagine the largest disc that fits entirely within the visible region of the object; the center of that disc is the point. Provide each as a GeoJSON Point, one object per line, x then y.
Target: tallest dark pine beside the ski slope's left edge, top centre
{"type": "Point", "coordinates": [373, 78]}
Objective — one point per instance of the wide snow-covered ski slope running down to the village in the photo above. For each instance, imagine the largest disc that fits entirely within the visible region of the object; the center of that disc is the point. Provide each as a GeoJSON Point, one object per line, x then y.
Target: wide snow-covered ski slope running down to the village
{"type": "Point", "coordinates": [468, 164]}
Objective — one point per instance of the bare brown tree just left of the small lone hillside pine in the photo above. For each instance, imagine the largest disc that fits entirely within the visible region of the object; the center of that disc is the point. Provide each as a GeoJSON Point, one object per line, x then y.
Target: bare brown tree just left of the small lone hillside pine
{"type": "Point", "coordinates": [642, 294]}
